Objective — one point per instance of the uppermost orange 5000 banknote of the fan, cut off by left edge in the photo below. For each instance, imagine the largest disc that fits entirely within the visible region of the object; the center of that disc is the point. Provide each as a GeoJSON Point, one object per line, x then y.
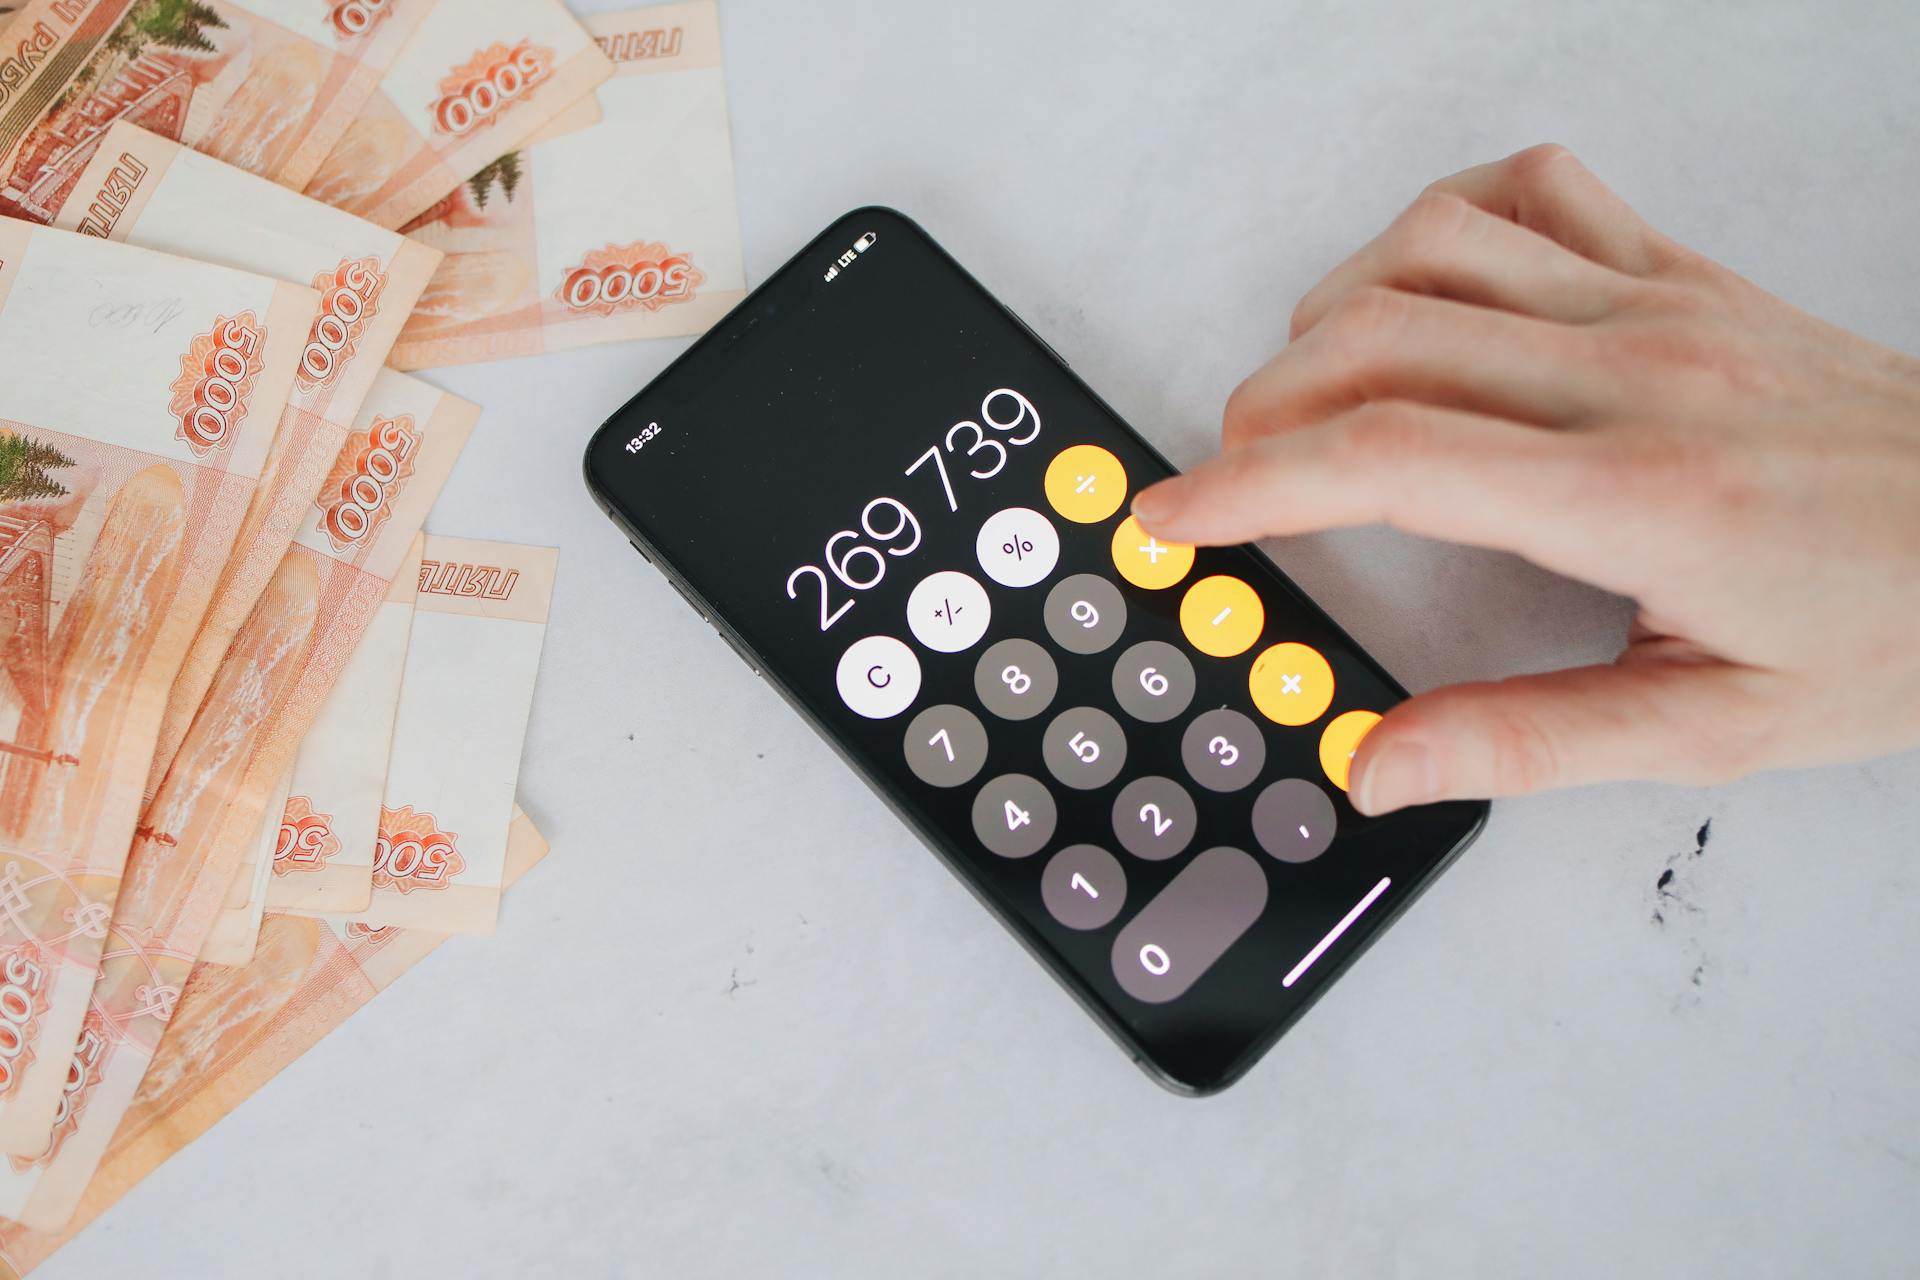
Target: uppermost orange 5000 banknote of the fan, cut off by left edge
{"type": "Point", "coordinates": [135, 417]}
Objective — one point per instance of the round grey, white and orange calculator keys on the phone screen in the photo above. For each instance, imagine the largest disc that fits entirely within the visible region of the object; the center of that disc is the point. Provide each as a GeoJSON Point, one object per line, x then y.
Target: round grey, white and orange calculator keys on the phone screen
{"type": "Point", "coordinates": [1141, 632]}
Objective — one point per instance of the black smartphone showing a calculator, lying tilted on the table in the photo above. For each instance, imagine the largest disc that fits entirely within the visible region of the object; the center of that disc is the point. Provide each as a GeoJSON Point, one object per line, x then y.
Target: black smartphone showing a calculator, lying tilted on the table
{"type": "Point", "coordinates": [905, 511]}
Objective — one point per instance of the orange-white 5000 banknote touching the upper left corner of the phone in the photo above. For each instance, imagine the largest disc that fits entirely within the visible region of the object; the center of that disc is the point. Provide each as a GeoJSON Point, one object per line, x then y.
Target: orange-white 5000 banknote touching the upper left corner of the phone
{"type": "Point", "coordinates": [627, 229]}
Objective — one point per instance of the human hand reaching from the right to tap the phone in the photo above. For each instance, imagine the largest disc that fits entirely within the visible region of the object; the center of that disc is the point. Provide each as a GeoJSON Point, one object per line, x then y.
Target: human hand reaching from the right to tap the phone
{"type": "Point", "coordinates": [1520, 362]}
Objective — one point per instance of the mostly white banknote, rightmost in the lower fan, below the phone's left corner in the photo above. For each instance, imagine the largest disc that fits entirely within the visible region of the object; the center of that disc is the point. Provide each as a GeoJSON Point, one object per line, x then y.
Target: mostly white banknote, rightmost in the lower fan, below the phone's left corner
{"type": "Point", "coordinates": [473, 657]}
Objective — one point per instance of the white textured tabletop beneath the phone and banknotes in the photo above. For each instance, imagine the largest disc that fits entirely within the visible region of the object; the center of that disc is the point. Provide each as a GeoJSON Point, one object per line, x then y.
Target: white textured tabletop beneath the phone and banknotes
{"type": "Point", "coordinates": [742, 1024]}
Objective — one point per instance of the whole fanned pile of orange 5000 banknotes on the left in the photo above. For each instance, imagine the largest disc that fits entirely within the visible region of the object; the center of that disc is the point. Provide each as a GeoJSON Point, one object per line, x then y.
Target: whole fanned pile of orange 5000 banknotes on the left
{"type": "Point", "coordinates": [260, 734]}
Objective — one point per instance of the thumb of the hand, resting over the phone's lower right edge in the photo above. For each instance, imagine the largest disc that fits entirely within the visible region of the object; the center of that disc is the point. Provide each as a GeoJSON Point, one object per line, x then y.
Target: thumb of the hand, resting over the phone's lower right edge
{"type": "Point", "coordinates": [1681, 723]}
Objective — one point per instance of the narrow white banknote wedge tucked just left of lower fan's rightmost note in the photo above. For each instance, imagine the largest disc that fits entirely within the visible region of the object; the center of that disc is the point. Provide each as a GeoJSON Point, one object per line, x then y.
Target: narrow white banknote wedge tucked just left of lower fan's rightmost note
{"type": "Point", "coordinates": [324, 841]}
